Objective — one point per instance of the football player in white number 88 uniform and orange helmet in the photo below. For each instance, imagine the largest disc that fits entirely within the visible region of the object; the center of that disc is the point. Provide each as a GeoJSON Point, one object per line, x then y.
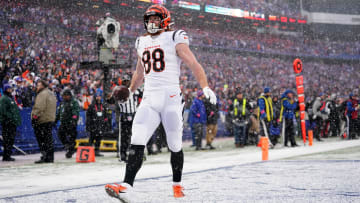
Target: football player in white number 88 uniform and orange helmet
{"type": "Point", "coordinates": [160, 53]}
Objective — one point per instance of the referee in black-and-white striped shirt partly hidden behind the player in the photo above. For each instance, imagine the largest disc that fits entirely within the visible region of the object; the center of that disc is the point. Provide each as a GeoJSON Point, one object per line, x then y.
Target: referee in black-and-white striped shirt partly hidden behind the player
{"type": "Point", "coordinates": [126, 112]}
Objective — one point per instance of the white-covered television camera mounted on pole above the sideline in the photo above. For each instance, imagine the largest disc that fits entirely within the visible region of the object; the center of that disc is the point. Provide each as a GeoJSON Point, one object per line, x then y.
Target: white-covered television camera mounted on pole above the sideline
{"type": "Point", "coordinates": [107, 36]}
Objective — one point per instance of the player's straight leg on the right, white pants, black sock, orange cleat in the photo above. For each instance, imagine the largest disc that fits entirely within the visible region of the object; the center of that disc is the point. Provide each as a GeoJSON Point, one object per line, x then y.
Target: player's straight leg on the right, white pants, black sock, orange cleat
{"type": "Point", "coordinates": [173, 124]}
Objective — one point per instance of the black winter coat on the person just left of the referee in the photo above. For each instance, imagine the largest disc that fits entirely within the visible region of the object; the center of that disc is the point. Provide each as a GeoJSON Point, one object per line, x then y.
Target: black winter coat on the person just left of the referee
{"type": "Point", "coordinates": [97, 118]}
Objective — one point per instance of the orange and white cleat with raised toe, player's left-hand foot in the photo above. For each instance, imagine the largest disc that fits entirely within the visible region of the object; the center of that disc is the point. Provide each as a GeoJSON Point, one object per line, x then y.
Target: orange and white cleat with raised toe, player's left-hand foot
{"type": "Point", "coordinates": [119, 191]}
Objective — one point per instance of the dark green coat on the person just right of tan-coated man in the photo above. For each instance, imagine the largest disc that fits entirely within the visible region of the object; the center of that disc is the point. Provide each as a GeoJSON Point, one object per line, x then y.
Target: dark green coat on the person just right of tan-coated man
{"type": "Point", "coordinates": [68, 113]}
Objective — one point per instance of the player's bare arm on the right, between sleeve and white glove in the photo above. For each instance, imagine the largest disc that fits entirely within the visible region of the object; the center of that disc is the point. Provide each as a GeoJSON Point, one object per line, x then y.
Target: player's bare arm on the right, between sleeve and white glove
{"type": "Point", "coordinates": [190, 60]}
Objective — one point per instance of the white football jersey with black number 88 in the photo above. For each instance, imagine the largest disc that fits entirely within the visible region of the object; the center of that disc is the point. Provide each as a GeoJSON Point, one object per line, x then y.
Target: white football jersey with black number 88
{"type": "Point", "coordinates": [160, 60]}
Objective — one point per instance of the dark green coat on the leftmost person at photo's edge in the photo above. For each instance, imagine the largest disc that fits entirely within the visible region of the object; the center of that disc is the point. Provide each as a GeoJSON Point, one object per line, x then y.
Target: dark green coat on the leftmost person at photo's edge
{"type": "Point", "coordinates": [9, 111]}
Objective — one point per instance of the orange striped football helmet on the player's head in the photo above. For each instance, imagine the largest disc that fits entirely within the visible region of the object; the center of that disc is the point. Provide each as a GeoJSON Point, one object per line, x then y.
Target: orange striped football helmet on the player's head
{"type": "Point", "coordinates": [163, 13]}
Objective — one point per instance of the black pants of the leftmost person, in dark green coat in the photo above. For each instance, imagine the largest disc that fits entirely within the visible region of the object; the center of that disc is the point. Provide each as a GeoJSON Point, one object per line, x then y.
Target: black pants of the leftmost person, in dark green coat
{"type": "Point", "coordinates": [8, 133]}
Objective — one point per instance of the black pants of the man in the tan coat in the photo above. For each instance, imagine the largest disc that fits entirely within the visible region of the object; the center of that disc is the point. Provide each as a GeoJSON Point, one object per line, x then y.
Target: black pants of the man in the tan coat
{"type": "Point", "coordinates": [45, 140]}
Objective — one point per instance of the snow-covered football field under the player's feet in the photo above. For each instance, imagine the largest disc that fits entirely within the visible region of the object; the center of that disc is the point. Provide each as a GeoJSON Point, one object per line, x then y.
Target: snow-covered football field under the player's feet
{"type": "Point", "coordinates": [302, 174]}
